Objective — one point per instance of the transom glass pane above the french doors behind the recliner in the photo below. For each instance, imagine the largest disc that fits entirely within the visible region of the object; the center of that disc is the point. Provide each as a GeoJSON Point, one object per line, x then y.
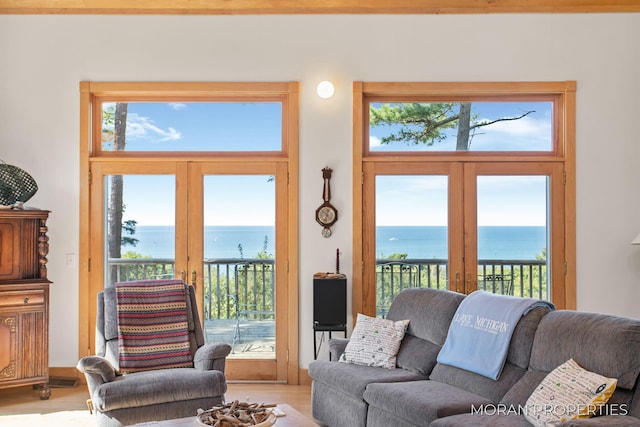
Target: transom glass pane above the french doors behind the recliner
{"type": "Point", "coordinates": [192, 126]}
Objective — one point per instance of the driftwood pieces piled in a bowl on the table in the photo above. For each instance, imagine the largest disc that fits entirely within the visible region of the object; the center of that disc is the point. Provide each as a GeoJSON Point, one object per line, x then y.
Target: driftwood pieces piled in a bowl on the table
{"type": "Point", "coordinates": [238, 414]}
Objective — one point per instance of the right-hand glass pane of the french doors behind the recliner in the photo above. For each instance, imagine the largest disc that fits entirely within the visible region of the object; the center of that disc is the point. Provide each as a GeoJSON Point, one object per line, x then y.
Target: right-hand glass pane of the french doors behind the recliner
{"type": "Point", "coordinates": [239, 261]}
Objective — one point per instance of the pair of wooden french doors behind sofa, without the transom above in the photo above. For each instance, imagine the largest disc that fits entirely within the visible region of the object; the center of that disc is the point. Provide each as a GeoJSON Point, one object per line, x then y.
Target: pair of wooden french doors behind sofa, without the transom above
{"type": "Point", "coordinates": [463, 226]}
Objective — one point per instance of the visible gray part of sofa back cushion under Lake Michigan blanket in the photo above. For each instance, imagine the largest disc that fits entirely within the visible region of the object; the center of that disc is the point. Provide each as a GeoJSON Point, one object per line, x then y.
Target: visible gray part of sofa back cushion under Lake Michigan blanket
{"type": "Point", "coordinates": [514, 368]}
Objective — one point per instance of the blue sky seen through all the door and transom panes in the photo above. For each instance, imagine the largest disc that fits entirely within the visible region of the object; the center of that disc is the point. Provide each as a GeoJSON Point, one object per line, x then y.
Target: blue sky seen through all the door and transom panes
{"type": "Point", "coordinates": [231, 200]}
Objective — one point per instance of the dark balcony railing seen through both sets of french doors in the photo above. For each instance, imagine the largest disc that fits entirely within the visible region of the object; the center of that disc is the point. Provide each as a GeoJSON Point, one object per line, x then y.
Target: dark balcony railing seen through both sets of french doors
{"type": "Point", "coordinates": [245, 287]}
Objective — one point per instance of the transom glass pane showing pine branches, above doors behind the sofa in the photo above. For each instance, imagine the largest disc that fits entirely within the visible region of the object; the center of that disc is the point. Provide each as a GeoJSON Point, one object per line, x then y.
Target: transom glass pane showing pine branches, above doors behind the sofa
{"type": "Point", "coordinates": [461, 126]}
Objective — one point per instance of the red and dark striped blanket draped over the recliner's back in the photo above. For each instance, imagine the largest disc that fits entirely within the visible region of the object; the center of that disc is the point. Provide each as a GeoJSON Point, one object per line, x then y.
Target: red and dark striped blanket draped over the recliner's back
{"type": "Point", "coordinates": [153, 329]}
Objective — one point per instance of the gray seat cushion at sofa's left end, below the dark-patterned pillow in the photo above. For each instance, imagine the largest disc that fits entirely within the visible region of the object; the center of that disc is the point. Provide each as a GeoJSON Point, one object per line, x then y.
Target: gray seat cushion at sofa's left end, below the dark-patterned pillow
{"type": "Point", "coordinates": [353, 379]}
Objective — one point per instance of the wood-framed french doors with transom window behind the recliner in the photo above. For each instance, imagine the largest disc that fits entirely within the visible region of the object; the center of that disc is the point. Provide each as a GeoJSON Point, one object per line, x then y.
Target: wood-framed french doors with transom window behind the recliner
{"type": "Point", "coordinates": [197, 180]}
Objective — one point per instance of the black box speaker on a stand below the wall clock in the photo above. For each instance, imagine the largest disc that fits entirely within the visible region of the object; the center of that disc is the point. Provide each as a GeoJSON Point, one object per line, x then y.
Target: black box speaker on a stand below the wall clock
{"type": "Point", "coordinates": [330, 302]}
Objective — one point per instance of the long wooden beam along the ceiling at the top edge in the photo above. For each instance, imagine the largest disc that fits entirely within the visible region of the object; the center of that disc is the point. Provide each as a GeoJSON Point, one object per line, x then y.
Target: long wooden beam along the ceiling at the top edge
{"type": "Point", "coordinates": [273, 7]}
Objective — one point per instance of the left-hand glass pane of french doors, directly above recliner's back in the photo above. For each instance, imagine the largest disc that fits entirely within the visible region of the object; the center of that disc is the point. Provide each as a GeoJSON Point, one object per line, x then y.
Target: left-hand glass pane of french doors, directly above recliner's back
{"type": "Point", "coordinates": [140, 232]}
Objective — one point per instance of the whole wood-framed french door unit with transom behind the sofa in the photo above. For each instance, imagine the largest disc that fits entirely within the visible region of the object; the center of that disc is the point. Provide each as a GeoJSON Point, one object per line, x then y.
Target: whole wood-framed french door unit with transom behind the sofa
{"type": "Point", "coordinates": [465, 186]}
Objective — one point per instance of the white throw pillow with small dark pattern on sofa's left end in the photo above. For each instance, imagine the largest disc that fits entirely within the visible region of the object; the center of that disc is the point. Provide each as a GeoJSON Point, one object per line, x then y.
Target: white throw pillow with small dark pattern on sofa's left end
{"type": "Point", "coordinates": [374, 342]}
